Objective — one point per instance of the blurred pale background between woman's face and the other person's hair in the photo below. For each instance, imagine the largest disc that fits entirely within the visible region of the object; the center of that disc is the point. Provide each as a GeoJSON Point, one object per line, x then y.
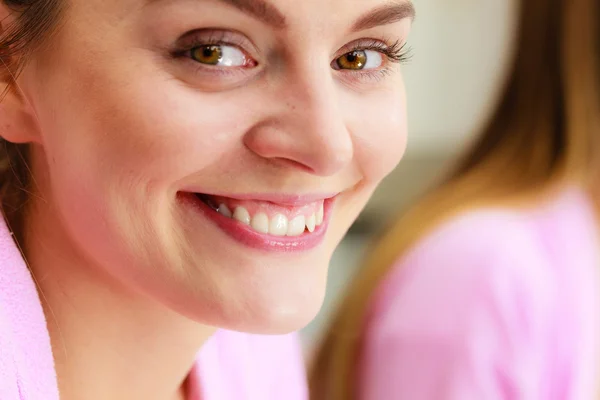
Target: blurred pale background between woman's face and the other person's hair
{"type": "Point", "coordinates": [461, 51]}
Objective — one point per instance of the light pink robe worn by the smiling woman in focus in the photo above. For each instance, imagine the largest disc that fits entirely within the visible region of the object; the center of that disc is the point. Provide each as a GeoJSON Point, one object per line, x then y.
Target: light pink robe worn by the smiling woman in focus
{"type": "Point", "coordinates": [230, 366]}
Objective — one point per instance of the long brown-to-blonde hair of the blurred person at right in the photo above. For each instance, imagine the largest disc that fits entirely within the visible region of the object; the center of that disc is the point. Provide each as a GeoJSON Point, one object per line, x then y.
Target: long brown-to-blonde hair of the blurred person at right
{"type": "Point", "coordinates": [543, 136]}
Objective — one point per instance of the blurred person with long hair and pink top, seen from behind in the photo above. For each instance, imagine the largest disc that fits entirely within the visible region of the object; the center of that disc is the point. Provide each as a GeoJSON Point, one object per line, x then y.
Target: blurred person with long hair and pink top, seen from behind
{"type": "Point", "coordinates": [489, 288]}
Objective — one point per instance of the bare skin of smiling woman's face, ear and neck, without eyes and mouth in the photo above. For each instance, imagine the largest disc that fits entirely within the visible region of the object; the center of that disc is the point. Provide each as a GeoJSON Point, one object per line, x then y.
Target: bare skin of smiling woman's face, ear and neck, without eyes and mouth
{"type": "Point", "coordinates": [118, 125]}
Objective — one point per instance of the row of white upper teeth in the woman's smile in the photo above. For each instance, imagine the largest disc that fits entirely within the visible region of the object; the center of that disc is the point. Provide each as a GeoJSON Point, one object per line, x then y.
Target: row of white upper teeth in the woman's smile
{"type": "Point", "coordinates": [278, 225]}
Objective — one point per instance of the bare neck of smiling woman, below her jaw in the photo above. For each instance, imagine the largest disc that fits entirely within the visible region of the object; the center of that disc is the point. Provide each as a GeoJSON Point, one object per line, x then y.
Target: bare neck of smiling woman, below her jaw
{"type": "Point", "coordinates": [108, 341]}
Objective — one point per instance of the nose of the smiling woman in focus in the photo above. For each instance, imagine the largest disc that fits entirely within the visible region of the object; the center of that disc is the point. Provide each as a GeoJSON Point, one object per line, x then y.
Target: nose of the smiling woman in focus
{"type": "Point", "coordinates": [305, 128]}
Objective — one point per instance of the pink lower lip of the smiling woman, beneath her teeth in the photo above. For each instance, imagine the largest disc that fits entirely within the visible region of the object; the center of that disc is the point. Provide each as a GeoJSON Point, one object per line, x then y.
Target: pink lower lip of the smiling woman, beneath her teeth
{"type": "Point", "coordinates": [265, 242]}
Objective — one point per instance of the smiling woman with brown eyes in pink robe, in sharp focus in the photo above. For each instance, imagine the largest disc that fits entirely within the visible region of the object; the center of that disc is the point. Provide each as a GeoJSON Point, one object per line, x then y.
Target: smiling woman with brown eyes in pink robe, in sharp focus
{"type": "Point", "coordinates": [171, 167]}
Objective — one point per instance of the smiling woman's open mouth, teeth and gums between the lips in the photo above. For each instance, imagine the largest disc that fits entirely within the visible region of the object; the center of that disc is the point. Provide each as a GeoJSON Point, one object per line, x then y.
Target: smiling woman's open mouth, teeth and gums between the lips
{"type": "Point", "coordinates": [269, 218]}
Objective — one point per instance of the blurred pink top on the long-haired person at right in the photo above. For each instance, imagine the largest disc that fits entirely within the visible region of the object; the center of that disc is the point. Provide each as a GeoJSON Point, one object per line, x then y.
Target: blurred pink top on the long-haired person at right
{"type": "Point", "coordinates": [494, 304]}
